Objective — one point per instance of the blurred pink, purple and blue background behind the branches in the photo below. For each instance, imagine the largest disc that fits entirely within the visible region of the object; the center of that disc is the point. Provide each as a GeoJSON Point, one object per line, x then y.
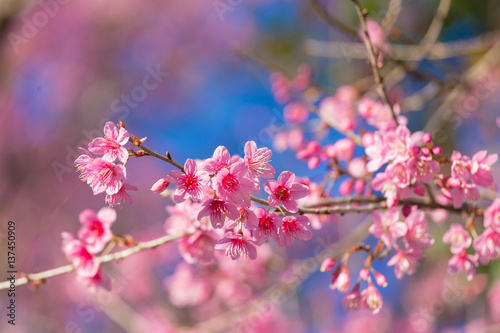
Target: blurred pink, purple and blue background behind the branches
{"type": "Point", "coordinates": [69, 66]}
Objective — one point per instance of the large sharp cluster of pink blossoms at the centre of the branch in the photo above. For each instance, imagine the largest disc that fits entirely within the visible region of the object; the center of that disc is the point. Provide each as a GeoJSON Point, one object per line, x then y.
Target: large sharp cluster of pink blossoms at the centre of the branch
{"type": "Point", "coordinates": [219, 189]}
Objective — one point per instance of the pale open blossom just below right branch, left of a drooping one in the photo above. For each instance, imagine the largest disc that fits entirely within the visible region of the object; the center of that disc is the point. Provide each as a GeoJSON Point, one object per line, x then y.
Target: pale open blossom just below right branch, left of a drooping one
{"type": "Point", "coordinates": [388, 227]}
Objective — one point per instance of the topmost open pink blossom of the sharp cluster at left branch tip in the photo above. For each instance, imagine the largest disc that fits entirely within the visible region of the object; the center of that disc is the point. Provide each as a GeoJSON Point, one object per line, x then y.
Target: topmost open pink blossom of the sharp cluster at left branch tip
{"type": "Point", "coordinates": [111, 146]}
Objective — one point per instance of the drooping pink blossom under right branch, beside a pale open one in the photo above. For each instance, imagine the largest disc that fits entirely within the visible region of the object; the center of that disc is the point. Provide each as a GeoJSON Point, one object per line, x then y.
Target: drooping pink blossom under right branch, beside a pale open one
{"type": "Point", "coordinates": [417, 236]}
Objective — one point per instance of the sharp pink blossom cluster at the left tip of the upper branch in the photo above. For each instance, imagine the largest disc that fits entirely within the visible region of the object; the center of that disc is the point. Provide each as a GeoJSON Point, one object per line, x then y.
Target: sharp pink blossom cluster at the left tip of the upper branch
{"type": "Point", "coordinates": [107, 174]}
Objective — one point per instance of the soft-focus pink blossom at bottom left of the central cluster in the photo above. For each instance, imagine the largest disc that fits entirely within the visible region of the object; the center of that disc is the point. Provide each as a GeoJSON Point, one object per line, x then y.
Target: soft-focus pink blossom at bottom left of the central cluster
{"type": "Point", "coordinates": [197, 247]}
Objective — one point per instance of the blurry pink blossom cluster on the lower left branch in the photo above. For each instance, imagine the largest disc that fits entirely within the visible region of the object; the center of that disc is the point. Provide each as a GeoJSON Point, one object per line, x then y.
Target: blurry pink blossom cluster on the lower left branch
{"type": "Point", "coordinates": [93, 236]}
